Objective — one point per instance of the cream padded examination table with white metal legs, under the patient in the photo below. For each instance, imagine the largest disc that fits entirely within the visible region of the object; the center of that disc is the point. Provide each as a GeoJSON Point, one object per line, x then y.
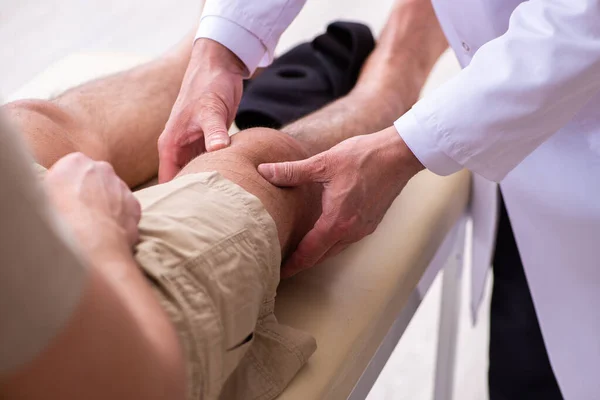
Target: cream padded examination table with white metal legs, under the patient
{"type": "Point", "coordinates": [358, 304]}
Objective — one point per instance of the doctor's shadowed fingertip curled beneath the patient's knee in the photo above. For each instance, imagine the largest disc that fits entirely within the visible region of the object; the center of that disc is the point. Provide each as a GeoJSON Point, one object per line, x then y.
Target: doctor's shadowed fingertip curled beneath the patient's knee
{"type": "Point", "coordinates": [311, 249]}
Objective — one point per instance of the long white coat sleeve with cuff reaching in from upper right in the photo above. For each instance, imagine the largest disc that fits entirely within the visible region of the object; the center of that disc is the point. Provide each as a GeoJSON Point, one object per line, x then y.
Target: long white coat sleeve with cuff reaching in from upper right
{"type": "Point", "coordinates": [518, 90]}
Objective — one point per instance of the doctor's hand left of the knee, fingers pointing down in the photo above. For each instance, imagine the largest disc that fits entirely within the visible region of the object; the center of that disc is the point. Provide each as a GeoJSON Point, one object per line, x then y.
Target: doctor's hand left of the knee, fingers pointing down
{"type": "Point", "coordinates": [205, 108]}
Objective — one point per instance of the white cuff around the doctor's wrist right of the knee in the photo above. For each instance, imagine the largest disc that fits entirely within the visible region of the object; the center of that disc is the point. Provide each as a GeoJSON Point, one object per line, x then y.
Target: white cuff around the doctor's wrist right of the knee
{"type": "Point", "coordinates": [424, 146]}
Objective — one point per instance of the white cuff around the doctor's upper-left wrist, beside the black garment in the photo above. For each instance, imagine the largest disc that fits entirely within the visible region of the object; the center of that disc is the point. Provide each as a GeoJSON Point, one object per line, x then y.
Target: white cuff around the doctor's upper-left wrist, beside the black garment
{"type": "Point", "coordinates": [240, 41]}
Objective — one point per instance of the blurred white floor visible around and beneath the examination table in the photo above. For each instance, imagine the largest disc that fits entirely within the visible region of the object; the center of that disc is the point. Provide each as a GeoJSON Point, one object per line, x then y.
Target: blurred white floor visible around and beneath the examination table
{"type": "Point", "coordinates": [36, 33]}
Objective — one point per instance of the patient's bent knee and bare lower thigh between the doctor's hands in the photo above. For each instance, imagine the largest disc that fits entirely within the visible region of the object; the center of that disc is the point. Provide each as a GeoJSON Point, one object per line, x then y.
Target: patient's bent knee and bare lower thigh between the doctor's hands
{"type": "Point", "coordinates": [294, 210]}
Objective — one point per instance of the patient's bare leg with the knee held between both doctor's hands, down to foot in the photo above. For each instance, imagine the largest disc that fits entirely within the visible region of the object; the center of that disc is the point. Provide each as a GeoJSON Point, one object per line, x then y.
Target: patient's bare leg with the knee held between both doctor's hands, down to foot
{"type": "Point", "coordinates": [380, 96]}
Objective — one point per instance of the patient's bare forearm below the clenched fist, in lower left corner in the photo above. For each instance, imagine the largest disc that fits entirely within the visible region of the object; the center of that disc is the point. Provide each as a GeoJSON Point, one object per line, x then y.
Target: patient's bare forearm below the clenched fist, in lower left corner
{"type": "Point", "coordinates": [119, 344]}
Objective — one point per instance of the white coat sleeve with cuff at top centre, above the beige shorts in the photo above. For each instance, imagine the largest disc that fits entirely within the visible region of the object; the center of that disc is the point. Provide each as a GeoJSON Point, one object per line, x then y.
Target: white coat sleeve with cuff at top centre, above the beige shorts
{"type": "Point", "coordinates": [249, 28]}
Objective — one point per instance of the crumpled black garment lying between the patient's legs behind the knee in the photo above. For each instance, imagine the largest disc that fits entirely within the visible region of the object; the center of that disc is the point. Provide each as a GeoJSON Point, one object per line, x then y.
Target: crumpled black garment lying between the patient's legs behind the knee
{"type": "Point", "coordinates": [307, 77]}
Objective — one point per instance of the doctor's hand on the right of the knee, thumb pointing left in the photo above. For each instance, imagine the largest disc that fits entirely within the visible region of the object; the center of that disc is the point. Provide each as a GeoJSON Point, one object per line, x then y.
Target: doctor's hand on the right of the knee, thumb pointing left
{"type": "Point", "coordinates": [361, 177]}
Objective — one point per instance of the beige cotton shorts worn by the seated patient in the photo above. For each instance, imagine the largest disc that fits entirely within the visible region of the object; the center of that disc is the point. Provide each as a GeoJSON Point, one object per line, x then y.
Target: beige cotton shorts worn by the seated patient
{"type": "Point", "coordinates": [211, 254]}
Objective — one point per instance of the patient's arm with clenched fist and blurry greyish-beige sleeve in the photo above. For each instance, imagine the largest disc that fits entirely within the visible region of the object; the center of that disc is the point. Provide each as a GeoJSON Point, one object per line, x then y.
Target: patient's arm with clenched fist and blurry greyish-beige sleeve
{"type": "Point", "coordinates": [84, 324]}
